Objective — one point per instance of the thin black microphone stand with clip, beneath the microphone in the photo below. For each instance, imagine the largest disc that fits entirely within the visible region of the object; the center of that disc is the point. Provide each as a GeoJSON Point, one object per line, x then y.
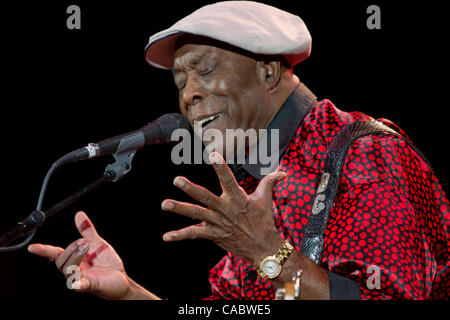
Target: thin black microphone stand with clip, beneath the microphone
{"type": "Point", "coordinates": [113, 172]}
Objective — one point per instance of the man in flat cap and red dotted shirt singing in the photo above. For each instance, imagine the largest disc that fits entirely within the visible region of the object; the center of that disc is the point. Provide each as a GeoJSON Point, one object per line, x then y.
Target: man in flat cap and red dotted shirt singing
{"type": "Point", "coordinates": [352, 211]}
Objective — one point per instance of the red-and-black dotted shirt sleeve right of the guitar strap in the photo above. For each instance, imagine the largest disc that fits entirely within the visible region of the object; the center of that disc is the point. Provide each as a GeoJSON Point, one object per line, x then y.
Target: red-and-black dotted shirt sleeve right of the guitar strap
{"type": "Point", "coordinates": [388, 229]}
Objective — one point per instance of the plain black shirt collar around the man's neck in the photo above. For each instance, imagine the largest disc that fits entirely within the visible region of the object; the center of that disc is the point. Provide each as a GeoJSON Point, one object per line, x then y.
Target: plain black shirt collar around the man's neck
{"type": "Point", "coordinates": [287, 120]}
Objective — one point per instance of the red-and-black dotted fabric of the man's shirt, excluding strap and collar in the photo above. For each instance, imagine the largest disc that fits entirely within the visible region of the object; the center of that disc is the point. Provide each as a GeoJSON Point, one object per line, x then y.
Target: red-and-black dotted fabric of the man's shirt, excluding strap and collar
{"type": "Point", "coordinates": [387, 230]}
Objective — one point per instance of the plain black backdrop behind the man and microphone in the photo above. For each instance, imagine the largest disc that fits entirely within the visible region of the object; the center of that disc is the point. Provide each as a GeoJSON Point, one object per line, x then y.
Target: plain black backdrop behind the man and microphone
{"type": "Point", "coordinates": [64, 88]}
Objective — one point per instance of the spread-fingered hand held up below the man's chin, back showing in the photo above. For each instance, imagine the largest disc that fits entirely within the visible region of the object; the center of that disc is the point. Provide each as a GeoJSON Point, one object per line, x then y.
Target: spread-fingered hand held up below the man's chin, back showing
{"type": "Point", "coordinates": [240, 223]}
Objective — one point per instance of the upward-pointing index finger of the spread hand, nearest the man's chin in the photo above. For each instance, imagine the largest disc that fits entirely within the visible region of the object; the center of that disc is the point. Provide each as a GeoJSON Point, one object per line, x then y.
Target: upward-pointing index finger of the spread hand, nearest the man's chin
{"type": "Point", "coordinates": [226, 176]}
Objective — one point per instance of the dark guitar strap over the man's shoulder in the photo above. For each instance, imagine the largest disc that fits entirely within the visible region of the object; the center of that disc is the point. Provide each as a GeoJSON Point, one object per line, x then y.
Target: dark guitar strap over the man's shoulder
{"type": "Point", "coordinates": [312, 242]}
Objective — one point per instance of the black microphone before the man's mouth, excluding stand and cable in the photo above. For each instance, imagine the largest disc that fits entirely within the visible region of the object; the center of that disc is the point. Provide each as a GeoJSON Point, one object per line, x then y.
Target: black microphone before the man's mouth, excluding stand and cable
{"type": "Point", "coordinates": [158, 131]}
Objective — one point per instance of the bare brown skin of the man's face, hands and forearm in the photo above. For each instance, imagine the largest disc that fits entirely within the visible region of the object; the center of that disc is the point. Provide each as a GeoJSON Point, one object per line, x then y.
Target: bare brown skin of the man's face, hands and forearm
{"type": "Point", "coordinates": [247, 93]}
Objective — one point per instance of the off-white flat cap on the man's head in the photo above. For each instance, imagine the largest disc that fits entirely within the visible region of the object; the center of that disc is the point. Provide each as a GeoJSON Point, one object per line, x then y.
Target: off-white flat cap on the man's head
{"type": "Point", "coordinates": [252, 26]}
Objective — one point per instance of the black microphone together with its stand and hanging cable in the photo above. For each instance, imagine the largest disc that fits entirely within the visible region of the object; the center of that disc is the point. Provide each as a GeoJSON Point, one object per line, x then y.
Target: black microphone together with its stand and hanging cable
{"type": "Point", "coordinates": [122, 147]}
